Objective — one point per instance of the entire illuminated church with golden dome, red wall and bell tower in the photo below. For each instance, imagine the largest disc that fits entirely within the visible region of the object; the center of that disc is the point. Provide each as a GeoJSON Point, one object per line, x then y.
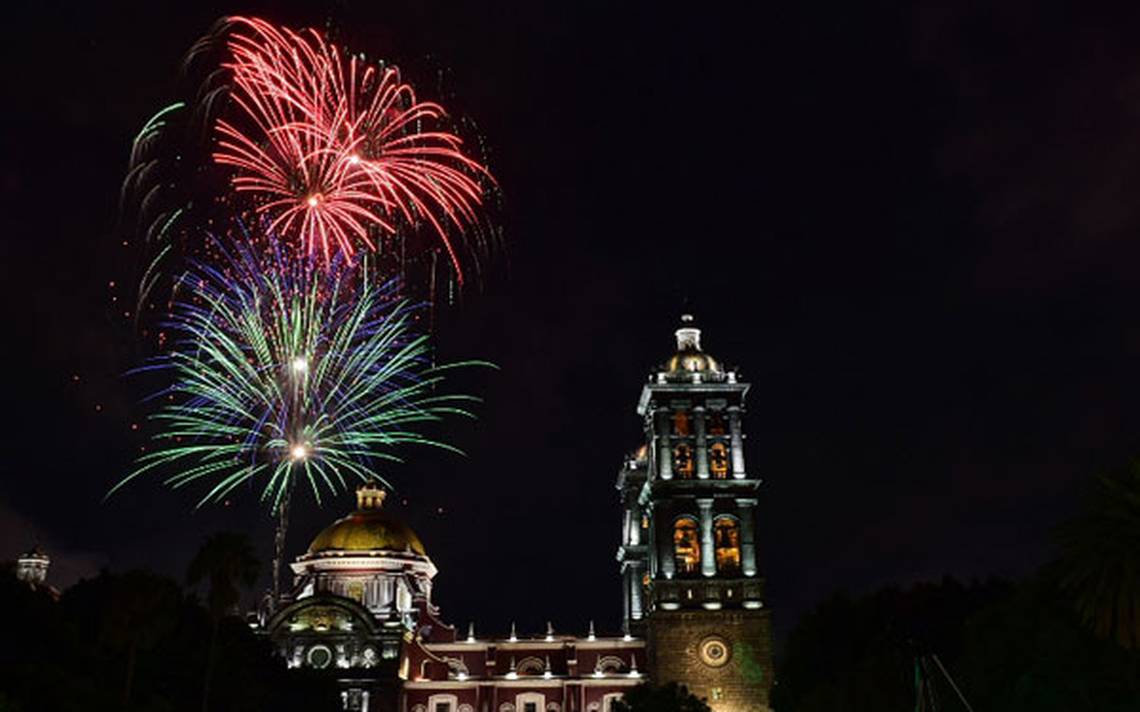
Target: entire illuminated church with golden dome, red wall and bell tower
{"type": "Point", "coordinates": [362, 608]}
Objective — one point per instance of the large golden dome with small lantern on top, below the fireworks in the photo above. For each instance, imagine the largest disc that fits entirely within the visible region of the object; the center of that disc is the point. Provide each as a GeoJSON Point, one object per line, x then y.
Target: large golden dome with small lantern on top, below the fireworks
{"type": "Point", "coordinates": [369, 529]}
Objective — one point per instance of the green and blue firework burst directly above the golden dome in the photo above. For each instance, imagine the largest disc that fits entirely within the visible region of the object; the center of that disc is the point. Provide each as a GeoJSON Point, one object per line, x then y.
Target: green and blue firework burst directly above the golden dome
{"type": "Point", "coordinates": [287, 373]}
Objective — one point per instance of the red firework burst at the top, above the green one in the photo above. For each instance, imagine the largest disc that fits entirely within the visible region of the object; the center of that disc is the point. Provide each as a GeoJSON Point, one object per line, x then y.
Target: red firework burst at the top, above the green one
{"type": "Point", "coordinates": [336, 149]}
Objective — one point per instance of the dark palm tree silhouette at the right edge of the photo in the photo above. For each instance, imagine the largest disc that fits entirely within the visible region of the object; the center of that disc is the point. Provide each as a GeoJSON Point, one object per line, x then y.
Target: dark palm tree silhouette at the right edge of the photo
{"type": "Point", "coordinates": [1100, 562]}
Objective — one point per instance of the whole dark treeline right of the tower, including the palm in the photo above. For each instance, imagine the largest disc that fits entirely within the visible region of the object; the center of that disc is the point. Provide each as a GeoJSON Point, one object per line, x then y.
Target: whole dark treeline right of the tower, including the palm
{"type": "Point", "coordinates": [1064, 640]}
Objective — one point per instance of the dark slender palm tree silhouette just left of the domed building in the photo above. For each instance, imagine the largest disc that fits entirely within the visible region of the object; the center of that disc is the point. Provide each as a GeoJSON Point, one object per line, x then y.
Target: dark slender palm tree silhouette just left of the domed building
{"type": "Point", "coordinates": [227, 562]}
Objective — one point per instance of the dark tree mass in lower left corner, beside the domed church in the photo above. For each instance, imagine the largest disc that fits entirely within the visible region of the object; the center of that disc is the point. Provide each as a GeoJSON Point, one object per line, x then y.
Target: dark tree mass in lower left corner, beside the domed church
{"type": "Point", "coordinates": [77, 653]}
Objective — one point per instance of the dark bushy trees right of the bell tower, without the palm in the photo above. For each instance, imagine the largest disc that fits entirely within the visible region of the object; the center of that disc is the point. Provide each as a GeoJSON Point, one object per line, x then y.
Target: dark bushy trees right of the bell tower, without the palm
{"type": "Point", "coordinates": [1009, 648]}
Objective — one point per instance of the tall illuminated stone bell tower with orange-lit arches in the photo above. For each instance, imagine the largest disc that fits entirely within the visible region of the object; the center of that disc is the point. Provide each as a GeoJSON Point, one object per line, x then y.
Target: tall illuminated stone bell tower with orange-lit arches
{"type": "Point", "coordinates": [689, 543]}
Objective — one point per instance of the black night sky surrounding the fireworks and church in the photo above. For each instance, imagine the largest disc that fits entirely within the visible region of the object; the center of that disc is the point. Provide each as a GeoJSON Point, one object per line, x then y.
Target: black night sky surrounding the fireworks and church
{"type": "Point", "coordinates": [916, 231]}
